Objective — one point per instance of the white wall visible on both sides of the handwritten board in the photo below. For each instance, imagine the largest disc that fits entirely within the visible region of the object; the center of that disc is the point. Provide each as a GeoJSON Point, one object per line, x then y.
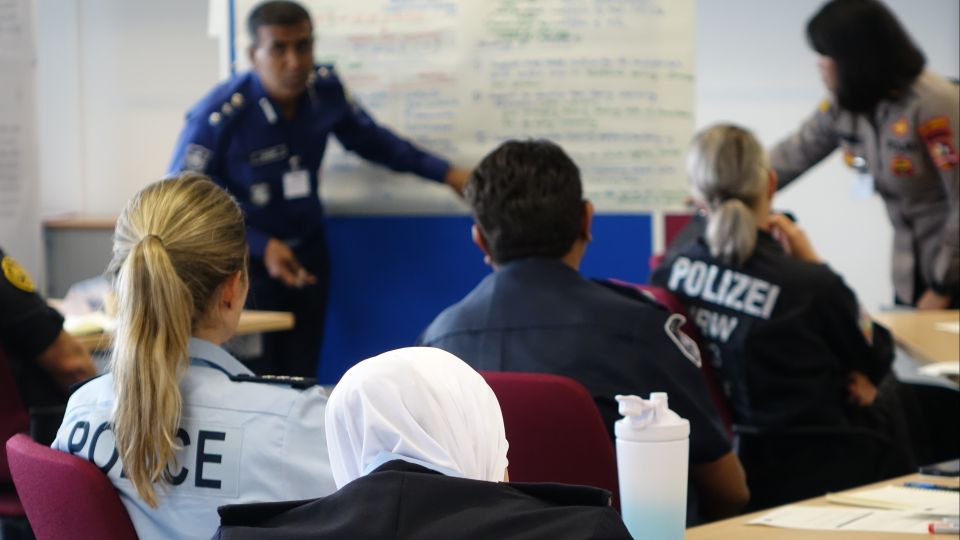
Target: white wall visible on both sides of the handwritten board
{"type": "Point", "coordinates": [116, 76]}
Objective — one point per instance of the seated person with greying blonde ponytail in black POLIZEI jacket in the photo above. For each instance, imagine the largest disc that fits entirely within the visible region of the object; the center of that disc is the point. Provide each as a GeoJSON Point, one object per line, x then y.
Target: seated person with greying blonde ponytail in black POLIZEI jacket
{"type": "Point", "coordinates": [791, 342]}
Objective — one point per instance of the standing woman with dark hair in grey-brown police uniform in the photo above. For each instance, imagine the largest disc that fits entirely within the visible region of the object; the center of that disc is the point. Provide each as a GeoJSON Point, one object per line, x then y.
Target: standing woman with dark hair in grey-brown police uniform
{"type": "Point", "coordinates": [896, 121]}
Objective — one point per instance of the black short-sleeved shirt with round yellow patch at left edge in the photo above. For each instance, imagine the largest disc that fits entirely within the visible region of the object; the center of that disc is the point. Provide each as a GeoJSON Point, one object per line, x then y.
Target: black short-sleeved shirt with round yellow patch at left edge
{"type": "Point", "coordinates": [27, 327]}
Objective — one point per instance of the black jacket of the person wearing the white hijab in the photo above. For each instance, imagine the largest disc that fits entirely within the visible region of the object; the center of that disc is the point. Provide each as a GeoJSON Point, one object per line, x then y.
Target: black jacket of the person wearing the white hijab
{"type": "Point", "coordinates": [402, 500]}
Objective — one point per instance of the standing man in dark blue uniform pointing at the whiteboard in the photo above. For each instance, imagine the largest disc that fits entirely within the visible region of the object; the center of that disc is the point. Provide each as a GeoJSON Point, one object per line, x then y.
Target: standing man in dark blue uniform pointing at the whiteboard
{"type": "Point", "coordinates": [262, 136]}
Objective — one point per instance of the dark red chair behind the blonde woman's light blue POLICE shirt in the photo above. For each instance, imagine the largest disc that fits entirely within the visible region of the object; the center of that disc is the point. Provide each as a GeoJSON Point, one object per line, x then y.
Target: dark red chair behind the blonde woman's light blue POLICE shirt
{"type": "Point", "coordinates": [65, 496]}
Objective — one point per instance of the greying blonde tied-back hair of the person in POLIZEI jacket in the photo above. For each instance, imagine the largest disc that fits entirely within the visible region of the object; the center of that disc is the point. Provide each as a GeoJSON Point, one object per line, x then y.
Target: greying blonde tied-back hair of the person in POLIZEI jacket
{"type": "Point", "coordinates": [728, 170]}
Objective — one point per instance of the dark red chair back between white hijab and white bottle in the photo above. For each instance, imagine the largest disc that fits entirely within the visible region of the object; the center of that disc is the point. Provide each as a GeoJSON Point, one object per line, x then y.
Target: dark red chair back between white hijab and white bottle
{"type": "Point", "coordinates": [555, 431]}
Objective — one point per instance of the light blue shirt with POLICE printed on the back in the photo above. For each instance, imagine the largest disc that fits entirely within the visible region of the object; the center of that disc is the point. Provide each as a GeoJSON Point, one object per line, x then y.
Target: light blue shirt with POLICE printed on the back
{"type": "Point", "coordinates": [241, 442]}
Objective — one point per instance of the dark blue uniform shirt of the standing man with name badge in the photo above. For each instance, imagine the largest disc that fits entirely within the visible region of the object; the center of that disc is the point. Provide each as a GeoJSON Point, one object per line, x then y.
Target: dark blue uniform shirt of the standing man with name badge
{"type": "Point", "coordinates": [270, 164]}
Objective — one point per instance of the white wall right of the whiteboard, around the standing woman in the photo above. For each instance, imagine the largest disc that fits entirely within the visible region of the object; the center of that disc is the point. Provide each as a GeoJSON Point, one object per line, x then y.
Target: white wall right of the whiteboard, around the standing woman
{"type": "Point", "coordinates": [754, 68]}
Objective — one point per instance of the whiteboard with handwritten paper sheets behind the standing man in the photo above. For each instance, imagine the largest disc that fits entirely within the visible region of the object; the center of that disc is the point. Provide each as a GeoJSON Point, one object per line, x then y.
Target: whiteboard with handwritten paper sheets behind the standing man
{"type": "Point", "coordinates": [611, 81]}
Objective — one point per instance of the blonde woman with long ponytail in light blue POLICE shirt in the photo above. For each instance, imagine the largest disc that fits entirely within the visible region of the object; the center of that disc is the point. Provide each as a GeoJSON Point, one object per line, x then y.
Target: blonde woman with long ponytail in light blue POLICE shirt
{"type": "Point", "coordinates": [179, 425]}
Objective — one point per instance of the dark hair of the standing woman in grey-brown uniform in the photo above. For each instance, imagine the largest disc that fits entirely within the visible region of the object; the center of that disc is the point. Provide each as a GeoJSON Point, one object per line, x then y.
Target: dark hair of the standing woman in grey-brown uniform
{"type": "Point", "coordinates": [875, 57]}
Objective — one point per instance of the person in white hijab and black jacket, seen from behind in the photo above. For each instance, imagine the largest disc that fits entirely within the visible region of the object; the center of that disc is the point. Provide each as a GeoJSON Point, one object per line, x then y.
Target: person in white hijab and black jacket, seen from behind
{"type": "Point", "coordinates": [418, 450]}
